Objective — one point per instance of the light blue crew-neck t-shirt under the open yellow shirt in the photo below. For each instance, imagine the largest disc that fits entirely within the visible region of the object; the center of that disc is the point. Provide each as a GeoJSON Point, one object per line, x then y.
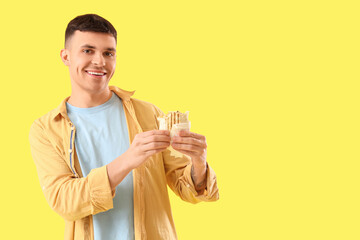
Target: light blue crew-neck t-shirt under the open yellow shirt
{"type": "Point", "coordinates": [102, 136]}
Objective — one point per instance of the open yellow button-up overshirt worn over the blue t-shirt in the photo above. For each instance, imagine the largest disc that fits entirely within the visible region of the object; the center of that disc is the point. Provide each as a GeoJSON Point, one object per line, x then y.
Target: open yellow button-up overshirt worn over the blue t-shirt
{"type": "Point", "coordinates": [77, 198]}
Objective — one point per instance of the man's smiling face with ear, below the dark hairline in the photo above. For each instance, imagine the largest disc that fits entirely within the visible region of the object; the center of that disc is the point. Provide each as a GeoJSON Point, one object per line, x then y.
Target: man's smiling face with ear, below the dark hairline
{"type": "Point", "coordinates": [91, 58]}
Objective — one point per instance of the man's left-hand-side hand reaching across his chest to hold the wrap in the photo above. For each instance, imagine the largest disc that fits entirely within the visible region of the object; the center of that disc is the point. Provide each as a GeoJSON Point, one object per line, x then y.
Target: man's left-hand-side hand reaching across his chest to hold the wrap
{"type": "Point", "coordinates": [146, 144]}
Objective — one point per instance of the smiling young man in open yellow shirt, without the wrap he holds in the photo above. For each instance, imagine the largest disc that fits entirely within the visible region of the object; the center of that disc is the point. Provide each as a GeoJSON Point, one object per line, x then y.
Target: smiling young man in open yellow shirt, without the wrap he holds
{"type": "Point", "coordinates": [103, 165]}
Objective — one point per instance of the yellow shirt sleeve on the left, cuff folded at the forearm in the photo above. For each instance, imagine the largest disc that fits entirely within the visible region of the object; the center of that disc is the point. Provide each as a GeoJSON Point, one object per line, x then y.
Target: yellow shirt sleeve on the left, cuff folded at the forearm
{"type": "Point", "coordinates": [72, 198]}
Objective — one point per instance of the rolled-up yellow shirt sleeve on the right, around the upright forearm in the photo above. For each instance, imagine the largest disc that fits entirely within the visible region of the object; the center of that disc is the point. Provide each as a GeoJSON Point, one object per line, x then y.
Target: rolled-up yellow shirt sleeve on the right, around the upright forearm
{"type": "Point", "coordinates": [178, 175]}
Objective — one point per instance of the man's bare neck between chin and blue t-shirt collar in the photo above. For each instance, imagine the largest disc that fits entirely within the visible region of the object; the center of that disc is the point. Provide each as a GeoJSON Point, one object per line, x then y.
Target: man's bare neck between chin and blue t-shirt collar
{"type": "Point", "coordinates": [83, 99]}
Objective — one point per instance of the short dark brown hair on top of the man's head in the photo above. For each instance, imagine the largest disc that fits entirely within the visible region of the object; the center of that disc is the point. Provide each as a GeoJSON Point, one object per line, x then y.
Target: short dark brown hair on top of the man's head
{"type": "Point", "coordinates": [89, 23]}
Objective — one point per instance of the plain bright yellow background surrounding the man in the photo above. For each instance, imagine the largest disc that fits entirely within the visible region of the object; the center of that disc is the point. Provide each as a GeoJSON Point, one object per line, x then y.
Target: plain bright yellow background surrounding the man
{"type": "Point", "coordinates": [273, 85]}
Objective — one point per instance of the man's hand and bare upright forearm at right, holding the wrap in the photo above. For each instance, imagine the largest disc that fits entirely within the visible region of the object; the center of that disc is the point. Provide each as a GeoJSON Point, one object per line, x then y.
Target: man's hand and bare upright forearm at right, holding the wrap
{"type": "Point", "coordinates": [194, 145]}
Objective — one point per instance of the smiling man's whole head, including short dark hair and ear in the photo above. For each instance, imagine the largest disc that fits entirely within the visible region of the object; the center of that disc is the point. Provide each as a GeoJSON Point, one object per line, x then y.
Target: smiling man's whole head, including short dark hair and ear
{"type": "Point", "coordinates": [90, 52]}
